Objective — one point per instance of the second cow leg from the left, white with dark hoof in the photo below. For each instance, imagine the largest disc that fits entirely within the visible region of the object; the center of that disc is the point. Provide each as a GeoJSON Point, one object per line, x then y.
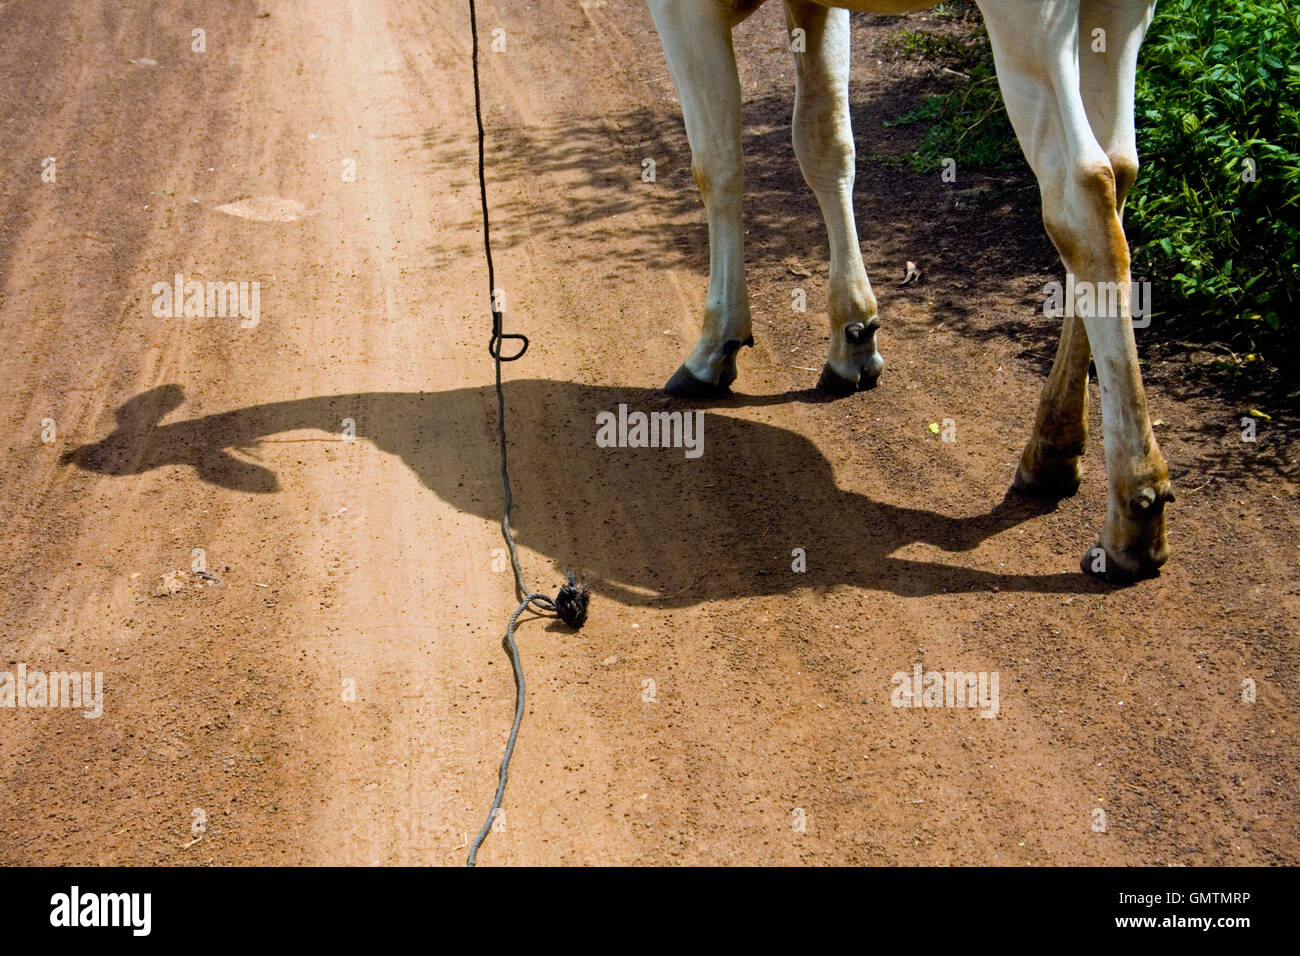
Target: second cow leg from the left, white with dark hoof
{"type": "Point", "coordinates": [824, 144]}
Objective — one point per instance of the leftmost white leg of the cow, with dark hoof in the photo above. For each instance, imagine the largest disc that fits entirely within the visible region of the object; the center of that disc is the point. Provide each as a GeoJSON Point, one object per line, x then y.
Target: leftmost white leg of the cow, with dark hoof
{"type": "Point", "coordinates": [697, 45]}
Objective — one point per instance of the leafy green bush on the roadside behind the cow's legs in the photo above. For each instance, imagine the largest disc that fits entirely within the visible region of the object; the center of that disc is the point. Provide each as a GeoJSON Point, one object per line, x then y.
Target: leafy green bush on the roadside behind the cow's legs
{"type": "Point", "coordinates": [1217, 105]}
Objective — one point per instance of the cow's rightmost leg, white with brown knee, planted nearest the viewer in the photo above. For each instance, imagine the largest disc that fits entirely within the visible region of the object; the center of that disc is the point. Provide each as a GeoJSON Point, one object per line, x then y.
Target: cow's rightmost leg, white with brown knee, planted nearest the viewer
{"type": "Point", "coordinates": [1035, 46]}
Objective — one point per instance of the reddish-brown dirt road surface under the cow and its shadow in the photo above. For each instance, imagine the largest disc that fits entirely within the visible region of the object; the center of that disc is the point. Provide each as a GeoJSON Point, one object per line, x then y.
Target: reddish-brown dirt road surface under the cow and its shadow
{"type": "Point", "coordinates": [370, 564]}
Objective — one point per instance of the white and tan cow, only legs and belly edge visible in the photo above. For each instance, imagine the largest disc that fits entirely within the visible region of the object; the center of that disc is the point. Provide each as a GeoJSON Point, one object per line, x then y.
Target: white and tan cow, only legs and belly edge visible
{"type": "Point", "coordinates": [1073, 113]}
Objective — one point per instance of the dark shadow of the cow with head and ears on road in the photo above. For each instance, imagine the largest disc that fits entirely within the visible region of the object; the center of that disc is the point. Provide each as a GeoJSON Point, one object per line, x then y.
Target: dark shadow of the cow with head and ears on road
{"type": "Point", "coordinates": [647, 527]}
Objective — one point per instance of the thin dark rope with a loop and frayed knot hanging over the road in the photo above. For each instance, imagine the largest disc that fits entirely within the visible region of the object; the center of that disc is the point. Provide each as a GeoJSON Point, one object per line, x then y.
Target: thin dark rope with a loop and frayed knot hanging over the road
{"type": "Point", "coordinates": [570, 604]}
